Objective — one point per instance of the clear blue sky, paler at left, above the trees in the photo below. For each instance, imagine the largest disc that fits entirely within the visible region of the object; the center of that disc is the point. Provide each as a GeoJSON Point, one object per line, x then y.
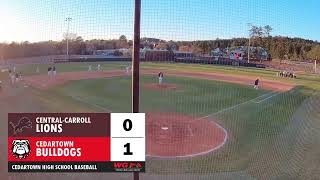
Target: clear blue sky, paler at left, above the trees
{"type": "Point", "coordinates": [35, 20]}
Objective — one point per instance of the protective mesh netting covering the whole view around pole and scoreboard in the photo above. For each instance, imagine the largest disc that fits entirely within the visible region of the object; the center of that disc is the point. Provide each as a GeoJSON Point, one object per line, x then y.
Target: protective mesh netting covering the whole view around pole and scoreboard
{"type": "Point", "coordinates": [207, 116]}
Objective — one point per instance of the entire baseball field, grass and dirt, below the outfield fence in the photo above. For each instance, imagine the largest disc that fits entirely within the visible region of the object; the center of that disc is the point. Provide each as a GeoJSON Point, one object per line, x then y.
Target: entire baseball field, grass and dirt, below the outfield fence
{"type": "Point", "coordinates": [206, 121]}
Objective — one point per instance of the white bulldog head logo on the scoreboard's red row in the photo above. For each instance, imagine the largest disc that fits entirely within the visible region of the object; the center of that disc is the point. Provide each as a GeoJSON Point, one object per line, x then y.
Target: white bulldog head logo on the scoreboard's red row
{"type": "Point", "coordinates": [20, 148]}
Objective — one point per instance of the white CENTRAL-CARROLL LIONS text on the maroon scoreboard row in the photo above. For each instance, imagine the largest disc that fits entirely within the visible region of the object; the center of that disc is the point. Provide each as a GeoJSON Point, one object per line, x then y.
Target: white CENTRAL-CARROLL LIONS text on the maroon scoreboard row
{"type": "Point", "coordinates": [55, 124]}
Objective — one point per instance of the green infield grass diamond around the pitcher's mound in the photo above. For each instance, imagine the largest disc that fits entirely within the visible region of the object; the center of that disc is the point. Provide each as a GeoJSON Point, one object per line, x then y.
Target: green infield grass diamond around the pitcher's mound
{"type": "Point", "coordinates": [196, 97]}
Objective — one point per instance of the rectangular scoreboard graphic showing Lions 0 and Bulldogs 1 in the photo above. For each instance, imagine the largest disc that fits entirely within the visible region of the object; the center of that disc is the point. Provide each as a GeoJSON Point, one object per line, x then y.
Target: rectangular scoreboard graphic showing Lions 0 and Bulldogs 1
{"type": "Point", "coordinates": [87, 142]}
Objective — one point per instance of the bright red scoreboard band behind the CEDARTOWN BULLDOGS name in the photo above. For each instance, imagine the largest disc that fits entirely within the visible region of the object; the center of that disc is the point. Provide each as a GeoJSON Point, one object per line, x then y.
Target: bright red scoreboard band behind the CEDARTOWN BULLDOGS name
{"type": "Point", "coordinates": [91, 149]}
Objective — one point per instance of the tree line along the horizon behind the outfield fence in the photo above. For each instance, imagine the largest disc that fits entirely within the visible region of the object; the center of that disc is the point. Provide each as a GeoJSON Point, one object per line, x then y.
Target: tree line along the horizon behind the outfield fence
{"type": "Point", "coordinates": [279, 47]}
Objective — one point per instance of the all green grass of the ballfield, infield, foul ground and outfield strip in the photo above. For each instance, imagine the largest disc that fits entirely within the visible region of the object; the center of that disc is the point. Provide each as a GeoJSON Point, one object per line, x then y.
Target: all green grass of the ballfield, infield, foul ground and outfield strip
{"type": "Point", "coordinates": [278, 137]}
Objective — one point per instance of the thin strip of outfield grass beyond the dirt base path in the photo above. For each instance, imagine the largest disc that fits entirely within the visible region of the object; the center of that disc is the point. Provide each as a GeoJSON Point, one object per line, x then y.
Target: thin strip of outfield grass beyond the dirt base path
{"type": "Point", "coordinates": [308, 80]}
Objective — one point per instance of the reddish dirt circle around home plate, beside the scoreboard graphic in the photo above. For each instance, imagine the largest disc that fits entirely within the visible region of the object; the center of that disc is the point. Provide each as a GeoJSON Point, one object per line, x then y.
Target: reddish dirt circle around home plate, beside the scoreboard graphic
{"type": "Point", "coordinates": [172, 135]}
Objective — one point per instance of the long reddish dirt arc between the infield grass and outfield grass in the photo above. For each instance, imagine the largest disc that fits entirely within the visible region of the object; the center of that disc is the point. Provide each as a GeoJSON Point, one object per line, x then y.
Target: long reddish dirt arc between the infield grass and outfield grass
{"type": "Point", "coordinates": [45, 82]}
